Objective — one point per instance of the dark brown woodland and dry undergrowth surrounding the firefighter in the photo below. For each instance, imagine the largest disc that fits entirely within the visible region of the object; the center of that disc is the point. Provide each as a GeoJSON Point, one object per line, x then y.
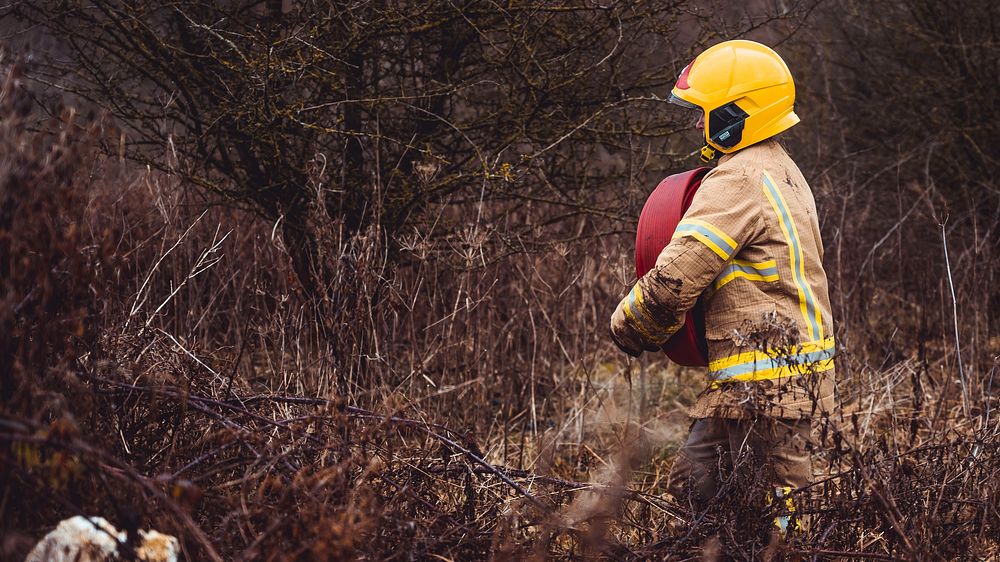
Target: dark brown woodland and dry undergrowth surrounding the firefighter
{"type": "Point", "coordinates": [331, 280]}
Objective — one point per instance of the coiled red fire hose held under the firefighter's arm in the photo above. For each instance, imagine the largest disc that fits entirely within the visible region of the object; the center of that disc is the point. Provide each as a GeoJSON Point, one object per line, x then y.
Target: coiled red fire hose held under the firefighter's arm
{"type": "Point", "coordinates": [657, 222]}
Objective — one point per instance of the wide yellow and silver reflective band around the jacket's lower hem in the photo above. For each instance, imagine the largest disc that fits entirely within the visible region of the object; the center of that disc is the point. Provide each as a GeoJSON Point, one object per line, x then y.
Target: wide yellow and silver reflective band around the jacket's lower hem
{"type": "Point", "coordinates": [809, 357]}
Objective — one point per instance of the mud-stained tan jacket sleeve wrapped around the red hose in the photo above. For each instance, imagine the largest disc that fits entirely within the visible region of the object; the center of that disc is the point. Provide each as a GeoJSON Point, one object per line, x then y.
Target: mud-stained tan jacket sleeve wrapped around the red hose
{"type": "Point", "coordinates": [724, 216]}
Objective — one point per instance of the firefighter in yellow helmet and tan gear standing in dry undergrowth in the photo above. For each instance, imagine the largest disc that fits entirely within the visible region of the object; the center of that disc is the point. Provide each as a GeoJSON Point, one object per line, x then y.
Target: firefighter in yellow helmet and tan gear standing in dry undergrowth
{"type": "Point", "coordinates": [749, 247]}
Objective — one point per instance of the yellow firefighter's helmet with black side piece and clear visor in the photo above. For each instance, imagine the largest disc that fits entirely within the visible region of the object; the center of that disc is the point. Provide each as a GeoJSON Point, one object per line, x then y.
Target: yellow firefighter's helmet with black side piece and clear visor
{"type": "Point", "coordinates": [745, 90]}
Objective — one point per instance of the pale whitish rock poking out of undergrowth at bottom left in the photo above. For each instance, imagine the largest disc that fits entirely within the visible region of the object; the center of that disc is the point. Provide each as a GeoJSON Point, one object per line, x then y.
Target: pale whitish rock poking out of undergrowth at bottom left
{"type": "Point", "coordinates": [93, 539]}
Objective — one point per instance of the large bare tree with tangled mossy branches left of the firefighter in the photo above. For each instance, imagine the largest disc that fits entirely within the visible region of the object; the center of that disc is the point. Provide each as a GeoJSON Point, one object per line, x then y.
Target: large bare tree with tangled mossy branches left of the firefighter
{"type": "Point", "coordinates": [331, 118]}
